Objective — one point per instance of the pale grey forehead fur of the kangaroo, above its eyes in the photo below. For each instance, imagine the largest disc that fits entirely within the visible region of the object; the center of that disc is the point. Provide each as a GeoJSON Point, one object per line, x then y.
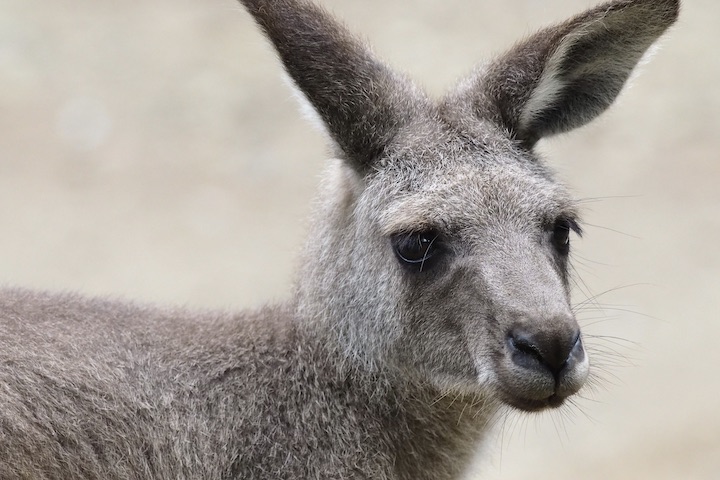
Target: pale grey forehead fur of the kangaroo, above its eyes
{"type": "Point", "coordinates": [451, 185]}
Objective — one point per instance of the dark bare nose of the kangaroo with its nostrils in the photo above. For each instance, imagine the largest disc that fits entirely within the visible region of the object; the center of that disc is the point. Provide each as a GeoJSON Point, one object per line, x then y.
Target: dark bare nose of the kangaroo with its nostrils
{"type": "Point", "coordinates": [554, 351]}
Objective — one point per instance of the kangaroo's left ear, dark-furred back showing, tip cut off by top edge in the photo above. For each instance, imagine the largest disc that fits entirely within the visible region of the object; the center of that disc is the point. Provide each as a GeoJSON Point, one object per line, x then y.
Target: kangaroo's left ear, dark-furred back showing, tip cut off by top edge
{"type": "Point", "coordinates": [359, 99]}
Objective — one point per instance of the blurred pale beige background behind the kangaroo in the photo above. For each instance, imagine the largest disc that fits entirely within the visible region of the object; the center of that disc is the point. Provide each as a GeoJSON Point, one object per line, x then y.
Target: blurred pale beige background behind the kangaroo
{"type": "Point", "coordinates": [150, 150]}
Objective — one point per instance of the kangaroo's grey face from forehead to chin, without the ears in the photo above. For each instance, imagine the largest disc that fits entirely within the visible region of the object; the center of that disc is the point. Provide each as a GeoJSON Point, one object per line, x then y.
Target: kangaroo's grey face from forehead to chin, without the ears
{"type": "Point", "coordinates": [476, 240]}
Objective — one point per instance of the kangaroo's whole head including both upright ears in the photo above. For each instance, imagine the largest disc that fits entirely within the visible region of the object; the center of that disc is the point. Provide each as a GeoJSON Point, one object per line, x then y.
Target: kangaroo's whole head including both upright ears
{"type": "Point", "coordinates": [441, 243]}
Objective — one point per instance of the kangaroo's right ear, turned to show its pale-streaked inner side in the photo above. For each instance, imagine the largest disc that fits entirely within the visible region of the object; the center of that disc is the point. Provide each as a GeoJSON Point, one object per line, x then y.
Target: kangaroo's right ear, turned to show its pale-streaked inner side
{"type": "Point", "coordinates": [564, 76]}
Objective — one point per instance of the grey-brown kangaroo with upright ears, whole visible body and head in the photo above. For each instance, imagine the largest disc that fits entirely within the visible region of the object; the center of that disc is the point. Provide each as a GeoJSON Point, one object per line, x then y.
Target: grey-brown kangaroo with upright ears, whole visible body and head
{"type": "Point", "coordinates": [431, 298]}
